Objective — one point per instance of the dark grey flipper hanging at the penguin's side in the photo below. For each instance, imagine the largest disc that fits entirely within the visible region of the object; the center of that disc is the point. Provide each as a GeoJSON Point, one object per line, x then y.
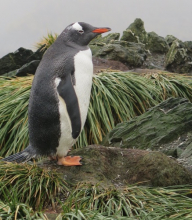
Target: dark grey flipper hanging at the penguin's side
{"type": "Point", "coordinates": [67, 93]}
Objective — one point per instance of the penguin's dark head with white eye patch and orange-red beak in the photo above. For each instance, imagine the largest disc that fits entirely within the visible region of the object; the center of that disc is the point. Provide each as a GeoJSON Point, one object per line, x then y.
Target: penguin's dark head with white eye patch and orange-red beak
{"type": "Point", "coordinates": [82, 33]}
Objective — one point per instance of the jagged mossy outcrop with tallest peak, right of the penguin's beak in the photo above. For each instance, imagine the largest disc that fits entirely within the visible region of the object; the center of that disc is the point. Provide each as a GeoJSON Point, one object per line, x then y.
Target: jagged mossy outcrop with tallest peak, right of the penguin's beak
{"type": "Point", "coordinates": [134, 48]}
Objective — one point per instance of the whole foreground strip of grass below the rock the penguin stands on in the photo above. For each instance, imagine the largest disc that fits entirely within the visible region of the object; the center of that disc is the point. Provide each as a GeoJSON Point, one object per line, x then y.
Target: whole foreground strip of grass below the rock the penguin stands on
{"type": "Point", "coordinates": [36, 188]}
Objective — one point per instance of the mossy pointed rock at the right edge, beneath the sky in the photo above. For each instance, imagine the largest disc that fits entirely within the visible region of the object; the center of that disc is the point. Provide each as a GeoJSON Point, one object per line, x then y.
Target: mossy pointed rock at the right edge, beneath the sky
{"type": "Point", "coordinates": [177, 59]}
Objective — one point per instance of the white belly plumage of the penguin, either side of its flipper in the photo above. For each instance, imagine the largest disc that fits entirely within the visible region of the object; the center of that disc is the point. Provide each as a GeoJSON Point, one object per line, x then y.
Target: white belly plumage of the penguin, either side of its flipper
{"type": "Point", "coordinates": [83, 80]}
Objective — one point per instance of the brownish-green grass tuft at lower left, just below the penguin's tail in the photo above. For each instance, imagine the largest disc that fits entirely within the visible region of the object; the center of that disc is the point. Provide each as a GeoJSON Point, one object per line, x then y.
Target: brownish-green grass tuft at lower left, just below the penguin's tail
{"type": "Point", "coordinates": [30, 184]}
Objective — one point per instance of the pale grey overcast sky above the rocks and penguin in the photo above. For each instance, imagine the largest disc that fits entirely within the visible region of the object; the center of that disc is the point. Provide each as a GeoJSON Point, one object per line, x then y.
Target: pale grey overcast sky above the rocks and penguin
{"type": "Point", "coordinates": [24, 22]}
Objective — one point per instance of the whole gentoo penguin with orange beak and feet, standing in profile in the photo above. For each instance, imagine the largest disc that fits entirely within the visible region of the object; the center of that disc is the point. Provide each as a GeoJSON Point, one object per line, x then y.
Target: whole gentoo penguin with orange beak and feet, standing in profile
{"type": "Point", "coordinates": [60, 96]}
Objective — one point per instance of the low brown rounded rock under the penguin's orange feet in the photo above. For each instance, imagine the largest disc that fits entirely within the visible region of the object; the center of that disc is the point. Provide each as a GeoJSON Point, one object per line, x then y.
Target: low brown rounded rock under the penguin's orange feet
{"type": "Point", "coordinates": [123, 166]}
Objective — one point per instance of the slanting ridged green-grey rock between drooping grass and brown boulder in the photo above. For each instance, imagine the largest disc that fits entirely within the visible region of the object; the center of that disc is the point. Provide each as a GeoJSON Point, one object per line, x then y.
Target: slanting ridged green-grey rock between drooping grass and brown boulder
{"type": "Point", "coordinates": [166, 127]}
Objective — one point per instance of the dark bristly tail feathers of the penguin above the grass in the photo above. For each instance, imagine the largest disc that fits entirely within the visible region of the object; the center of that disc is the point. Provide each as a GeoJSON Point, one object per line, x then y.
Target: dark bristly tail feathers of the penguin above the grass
{"type": "Point", "coordinates": [22, 156]}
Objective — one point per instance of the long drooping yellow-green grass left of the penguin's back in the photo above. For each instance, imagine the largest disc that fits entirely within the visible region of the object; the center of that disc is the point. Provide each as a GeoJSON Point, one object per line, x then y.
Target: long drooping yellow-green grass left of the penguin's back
{"type": "Point", "coordinates": [14, 96]}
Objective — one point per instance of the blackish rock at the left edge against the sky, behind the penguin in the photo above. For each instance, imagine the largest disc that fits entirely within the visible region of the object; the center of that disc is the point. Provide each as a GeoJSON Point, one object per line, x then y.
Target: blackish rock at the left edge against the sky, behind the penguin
{"type": "Point", "coordinates": [13, 61]}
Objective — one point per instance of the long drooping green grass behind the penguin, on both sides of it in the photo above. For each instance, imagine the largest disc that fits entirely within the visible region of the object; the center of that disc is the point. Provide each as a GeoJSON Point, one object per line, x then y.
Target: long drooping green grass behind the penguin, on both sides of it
{"type": "Point", "coordinates": [115, 97]}
